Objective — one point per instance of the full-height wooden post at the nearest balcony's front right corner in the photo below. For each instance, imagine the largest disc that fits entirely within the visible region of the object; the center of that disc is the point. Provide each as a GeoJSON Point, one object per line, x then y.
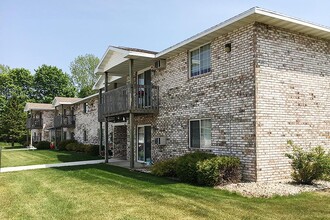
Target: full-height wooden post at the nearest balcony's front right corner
{"type": "Point", "coordinates": [131, 115]}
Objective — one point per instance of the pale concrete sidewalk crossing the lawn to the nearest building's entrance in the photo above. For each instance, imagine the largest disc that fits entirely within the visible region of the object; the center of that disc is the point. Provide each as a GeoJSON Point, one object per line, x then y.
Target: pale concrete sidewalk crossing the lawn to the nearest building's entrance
{"type": "Point", "coordinates": [42, 166]}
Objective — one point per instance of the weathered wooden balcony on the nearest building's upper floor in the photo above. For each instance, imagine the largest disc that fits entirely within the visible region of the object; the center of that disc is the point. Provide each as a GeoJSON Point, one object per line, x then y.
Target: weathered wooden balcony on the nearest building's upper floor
{"type": "Point", "coordinates": [118, 101]}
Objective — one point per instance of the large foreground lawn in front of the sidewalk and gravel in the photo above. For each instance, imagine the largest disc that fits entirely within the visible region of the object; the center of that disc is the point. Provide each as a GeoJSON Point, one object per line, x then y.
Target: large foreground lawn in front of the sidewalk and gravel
{"type": "Point", "coordinates": [107, 192]}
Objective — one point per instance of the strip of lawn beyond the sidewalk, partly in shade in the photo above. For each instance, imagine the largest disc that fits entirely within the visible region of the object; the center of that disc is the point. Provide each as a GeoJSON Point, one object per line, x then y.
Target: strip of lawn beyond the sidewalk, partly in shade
{"type": "Point", "coordinates": [31, 157]}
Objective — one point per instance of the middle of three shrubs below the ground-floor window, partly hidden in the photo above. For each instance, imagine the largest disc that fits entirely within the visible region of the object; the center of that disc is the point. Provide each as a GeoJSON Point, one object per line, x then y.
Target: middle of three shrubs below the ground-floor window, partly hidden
{"type": "Point", "coordinates": [186, 166]}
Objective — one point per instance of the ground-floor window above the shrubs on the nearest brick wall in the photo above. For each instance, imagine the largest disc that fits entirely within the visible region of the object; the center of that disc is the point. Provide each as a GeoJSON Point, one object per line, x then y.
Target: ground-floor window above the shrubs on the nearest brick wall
{"type": "Point", "coordinates": [200, 133]}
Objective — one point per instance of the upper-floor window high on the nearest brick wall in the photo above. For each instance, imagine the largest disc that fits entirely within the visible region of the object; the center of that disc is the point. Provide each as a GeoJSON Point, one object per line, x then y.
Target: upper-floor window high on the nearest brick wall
{"type": "Point", "coordinates": [200, 60]}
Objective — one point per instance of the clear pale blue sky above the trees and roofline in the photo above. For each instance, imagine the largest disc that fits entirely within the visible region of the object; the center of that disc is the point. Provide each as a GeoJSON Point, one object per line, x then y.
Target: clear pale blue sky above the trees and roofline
{"type": "Point", "coordinates": [54, 32]}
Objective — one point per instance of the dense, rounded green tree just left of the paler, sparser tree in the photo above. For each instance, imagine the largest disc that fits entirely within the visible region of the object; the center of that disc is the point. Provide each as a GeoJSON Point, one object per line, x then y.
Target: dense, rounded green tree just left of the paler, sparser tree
{"type": "Point", "coordinates": [49, 81]}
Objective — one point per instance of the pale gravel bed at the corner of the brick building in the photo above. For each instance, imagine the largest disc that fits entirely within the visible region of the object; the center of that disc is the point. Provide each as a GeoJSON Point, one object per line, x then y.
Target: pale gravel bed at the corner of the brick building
{"type": "Point", "coordinates": [267, 190]}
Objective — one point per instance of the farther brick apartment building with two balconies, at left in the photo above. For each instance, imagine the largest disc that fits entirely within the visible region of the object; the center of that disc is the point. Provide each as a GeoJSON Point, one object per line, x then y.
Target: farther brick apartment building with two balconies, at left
{"type": "Point", "coordinates": [65, 119]}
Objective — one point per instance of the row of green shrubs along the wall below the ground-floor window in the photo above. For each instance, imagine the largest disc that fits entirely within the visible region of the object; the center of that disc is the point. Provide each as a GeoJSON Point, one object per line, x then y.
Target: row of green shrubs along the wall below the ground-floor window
{"type": "Point", "coordinates": [200, 168]}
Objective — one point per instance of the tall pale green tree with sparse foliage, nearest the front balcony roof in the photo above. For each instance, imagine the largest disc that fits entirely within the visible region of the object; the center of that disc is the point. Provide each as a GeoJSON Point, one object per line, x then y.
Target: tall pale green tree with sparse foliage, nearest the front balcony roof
{"type": "Point", "coordinates": [82, 73]}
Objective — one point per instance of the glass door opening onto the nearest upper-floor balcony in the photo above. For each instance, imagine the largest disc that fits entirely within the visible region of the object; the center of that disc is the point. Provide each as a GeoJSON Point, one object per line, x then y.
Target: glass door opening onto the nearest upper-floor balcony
{"type": "Point", "coordinates": [144, 89]}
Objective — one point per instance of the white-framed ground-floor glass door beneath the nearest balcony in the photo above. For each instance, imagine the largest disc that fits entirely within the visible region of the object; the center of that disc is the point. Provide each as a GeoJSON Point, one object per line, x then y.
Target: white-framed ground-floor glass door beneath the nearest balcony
{"type": "Point", "coordinates": [144, 144]}
